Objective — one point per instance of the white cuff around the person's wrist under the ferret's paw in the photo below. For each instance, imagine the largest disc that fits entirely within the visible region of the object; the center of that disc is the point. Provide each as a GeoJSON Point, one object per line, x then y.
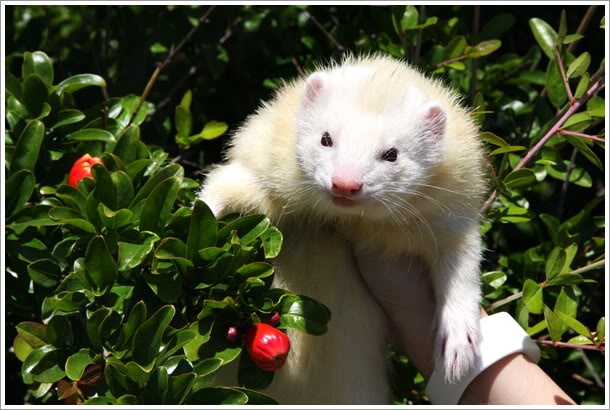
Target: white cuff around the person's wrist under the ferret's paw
{"type": "Point", "coordinates": [501, 336]}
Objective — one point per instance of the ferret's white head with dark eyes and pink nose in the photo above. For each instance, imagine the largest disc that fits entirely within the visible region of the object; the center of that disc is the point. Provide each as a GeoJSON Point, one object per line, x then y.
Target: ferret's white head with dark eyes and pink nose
{"type": "Point", "coordinates": [365, 146]}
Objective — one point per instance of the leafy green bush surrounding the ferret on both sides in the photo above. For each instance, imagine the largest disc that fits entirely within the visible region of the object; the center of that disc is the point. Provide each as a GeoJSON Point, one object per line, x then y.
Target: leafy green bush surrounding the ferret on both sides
{"type": "Point", "coordinates": [130, 256]}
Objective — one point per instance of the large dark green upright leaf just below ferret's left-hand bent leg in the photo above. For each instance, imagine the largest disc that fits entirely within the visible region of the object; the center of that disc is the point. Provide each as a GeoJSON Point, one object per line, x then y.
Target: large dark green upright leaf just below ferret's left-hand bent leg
{"type": "Point", "coordinates": [202, 229]}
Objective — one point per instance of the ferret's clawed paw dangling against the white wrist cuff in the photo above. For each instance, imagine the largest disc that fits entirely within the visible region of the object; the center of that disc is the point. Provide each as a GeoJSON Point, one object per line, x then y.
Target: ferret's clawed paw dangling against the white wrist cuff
{"type": "Point", "coordinates": [457, 346]}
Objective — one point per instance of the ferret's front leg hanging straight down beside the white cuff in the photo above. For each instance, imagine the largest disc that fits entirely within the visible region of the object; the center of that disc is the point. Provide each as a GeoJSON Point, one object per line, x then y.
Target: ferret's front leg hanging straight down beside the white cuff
{"type": "Point", "coordinates": [457, 290]}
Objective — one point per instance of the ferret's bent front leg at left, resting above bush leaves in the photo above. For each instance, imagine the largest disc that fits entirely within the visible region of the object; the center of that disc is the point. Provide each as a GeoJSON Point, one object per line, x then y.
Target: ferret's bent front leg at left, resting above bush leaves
{"type": "Point", "coordinates": [232, 188]}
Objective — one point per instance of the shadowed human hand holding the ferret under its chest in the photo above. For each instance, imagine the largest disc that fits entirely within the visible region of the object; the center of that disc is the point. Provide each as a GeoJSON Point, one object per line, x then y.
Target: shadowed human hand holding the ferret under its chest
{"type": "Point", "coordinates": [403, 290]}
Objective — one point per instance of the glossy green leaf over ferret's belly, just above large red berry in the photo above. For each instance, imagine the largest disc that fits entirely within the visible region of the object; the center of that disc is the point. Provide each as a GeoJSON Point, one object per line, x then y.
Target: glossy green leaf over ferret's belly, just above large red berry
{"type": "Point", "coordinates": [303, 313]}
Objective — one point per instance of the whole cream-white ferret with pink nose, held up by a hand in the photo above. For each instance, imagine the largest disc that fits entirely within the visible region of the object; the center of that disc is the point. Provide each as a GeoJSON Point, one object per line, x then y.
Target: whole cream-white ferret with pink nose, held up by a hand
{"type": "Point", "coordinates": [364, 156]}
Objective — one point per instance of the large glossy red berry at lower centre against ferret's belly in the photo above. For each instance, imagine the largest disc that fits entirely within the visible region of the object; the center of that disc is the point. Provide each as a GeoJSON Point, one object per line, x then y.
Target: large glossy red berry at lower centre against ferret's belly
{"type": "Point", "coordinates": [267, 346]}
